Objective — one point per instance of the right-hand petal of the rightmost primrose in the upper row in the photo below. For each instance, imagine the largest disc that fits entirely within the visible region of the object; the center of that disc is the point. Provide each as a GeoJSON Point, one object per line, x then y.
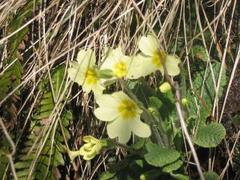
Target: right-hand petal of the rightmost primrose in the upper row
{"type": "Point", "coordinates": [172, 65]}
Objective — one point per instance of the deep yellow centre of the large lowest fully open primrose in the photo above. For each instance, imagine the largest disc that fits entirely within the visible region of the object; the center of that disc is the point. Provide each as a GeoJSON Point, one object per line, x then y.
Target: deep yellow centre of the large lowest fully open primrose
{"type": "Point", "coordinates": [127, 109]}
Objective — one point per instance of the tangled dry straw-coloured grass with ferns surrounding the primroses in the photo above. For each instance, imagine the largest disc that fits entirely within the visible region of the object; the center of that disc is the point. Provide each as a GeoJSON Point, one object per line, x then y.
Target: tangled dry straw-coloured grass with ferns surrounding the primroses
{"type": "Point", "coordinates": [39, 38]}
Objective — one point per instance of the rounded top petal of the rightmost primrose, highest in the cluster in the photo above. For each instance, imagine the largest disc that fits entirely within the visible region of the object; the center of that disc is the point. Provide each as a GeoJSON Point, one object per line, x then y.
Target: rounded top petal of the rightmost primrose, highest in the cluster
{"type": "Point", "coordinates": [148, 45]}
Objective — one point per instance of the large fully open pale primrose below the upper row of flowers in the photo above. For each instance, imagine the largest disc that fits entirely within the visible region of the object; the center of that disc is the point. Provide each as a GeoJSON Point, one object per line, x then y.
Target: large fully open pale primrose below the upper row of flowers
{"type": "Point", "coordinates": [122, 115]}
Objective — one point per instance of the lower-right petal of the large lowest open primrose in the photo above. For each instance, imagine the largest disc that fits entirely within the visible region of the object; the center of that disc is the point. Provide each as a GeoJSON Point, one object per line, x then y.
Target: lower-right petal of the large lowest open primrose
{"type": "Point", "coordinates": [140, 128]}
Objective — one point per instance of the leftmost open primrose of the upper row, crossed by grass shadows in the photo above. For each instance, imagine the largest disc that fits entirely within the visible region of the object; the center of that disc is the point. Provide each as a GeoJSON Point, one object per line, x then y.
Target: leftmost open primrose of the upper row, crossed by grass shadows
{"type": "Point", "coordinates": [84, 72]}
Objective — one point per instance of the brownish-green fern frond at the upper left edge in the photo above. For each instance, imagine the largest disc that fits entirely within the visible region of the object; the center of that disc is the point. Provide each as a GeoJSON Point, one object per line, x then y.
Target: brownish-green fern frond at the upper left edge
{"type": "Point", "coordinates": [11, 78]}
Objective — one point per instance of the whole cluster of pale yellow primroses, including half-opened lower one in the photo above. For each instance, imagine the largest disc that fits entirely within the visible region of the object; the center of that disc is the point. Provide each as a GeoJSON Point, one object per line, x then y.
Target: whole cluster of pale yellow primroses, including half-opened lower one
{"type": "Point", "coordinates": [122, 113]}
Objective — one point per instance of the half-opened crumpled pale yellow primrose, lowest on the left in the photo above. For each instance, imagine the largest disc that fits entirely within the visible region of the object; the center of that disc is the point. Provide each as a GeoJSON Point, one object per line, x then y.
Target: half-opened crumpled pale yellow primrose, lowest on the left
{"type": "Point", "coordinates": [90, 149]}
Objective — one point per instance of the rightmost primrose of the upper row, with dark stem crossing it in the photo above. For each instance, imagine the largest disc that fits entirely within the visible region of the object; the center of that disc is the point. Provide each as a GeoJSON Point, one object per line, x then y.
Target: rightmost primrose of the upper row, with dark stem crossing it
{"type": "Point", "coordinates": [157, 58]}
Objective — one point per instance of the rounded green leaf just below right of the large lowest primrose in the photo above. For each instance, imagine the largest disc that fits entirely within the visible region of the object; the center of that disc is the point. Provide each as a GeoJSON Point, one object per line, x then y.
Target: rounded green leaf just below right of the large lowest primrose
{"type": "Point", "coordinates": [158, 156]}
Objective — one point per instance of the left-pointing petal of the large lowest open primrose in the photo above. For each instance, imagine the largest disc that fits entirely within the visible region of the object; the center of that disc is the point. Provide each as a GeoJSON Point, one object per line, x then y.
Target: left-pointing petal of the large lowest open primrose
{"type": "Point", "coordinates": [106, 114]}
